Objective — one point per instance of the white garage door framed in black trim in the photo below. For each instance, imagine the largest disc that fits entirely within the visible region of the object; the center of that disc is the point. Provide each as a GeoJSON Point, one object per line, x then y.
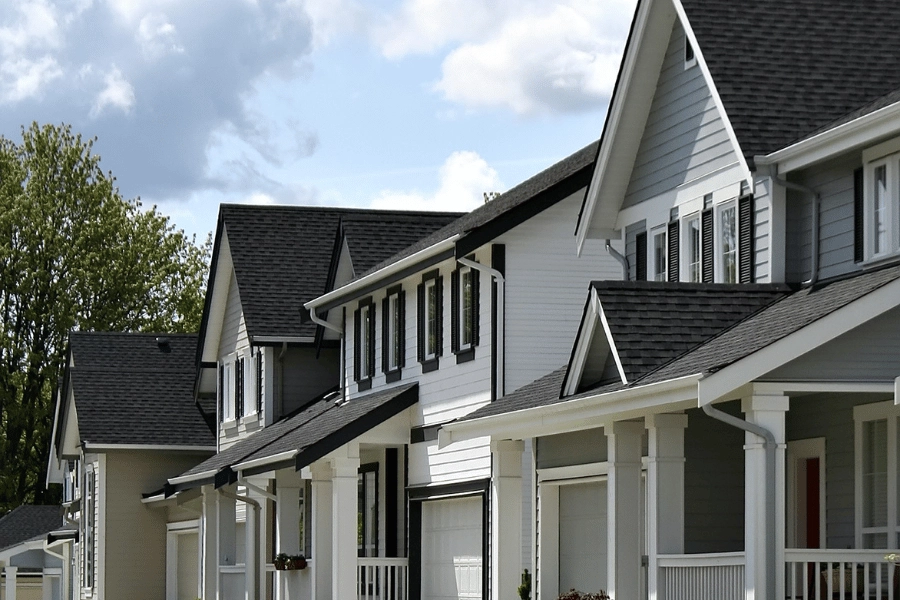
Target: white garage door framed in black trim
{"type": "Point", "coordinates": [452, 549]}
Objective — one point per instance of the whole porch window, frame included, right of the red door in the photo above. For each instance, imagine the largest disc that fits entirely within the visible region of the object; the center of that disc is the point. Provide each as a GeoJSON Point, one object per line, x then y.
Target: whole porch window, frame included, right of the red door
{"type": "Point", "coordinates": [877, 477]}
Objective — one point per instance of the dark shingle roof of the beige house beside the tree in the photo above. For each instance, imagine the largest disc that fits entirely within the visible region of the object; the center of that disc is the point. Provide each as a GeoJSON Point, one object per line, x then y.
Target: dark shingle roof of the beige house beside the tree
{"type": "Point", "coordinates": [131, 389]}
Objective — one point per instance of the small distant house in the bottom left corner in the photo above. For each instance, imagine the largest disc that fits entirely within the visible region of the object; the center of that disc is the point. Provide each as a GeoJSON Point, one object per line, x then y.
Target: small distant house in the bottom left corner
{"type": "Point", "coordinates": [31, 570]}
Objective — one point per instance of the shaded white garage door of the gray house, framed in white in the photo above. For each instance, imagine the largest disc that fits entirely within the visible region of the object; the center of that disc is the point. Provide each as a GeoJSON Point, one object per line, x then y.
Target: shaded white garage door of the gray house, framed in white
{"type": "Point", "coordinates": [582, 537]}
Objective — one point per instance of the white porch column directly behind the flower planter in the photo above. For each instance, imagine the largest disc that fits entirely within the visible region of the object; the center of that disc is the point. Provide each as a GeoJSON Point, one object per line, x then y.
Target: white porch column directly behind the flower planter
{"type": "Point", "coordinates": [287, 516]}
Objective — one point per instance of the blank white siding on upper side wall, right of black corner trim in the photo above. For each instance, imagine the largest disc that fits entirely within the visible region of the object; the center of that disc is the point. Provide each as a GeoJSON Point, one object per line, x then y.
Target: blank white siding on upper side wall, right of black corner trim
{"type": "Point", "coordinates": [546, 286]}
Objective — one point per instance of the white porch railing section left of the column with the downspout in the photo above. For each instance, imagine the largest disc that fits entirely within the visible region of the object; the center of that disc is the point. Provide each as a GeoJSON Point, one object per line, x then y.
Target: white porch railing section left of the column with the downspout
{"type": "Point", "coordinates": [691, 576]}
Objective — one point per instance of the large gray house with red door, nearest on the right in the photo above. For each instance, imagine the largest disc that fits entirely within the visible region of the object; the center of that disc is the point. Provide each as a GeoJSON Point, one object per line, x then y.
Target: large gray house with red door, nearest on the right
{"type": "Point", "coordinates": [741, 389]}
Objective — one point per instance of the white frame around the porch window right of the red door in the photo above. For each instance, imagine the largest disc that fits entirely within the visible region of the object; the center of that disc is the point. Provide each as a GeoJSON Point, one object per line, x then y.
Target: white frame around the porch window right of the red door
{"type": "Point", "coordinates": [866, 413]}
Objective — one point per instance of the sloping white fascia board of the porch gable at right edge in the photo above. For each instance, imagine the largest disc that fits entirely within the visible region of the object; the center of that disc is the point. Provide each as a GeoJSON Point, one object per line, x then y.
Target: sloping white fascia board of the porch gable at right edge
{"type": "Point", "coordinates": [727, 380]}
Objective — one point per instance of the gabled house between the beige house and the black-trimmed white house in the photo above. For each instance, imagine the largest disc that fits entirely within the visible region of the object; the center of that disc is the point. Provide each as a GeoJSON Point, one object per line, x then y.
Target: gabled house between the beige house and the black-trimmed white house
{"type": "Point", "coordinates": [271, 373]}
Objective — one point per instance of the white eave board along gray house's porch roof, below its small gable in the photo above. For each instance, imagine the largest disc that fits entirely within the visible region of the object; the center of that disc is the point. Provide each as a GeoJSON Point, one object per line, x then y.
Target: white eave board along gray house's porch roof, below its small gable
{"type": "Point", "coordinates": [578, 414]}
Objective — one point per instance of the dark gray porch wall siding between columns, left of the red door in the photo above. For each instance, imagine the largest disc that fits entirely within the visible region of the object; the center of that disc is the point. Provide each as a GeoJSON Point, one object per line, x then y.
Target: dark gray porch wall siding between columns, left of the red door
{"type": "Point", "coordinates": [713, 483]}
